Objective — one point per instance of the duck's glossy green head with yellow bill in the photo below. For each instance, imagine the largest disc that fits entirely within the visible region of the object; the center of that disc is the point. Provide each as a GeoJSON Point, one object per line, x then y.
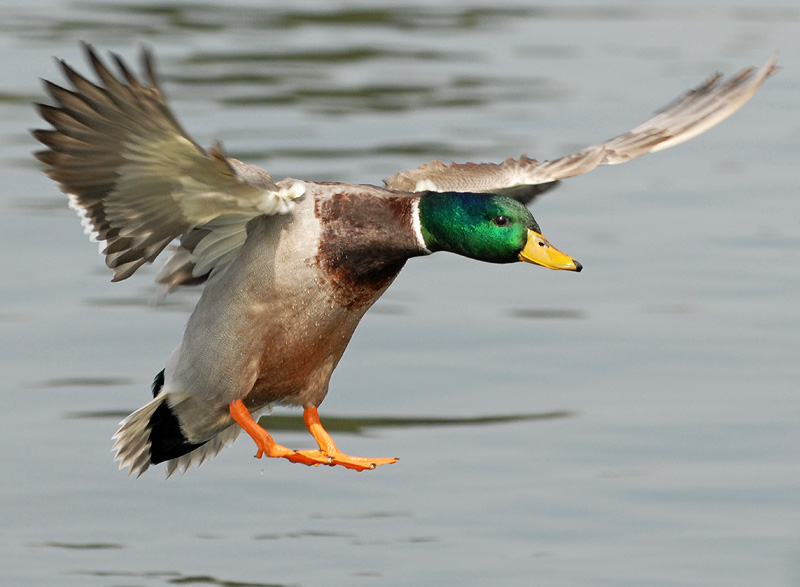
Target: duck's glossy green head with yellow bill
{"type": "Point", "coordinates": [486, 227]}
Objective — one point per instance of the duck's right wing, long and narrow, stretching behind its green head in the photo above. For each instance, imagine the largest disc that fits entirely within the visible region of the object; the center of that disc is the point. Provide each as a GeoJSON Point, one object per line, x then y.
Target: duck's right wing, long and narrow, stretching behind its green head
{"type": "Point", "coordinates": [688, 116]}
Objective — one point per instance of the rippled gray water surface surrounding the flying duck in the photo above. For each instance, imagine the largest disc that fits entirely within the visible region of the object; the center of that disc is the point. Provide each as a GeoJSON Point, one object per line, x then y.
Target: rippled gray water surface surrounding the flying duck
{"type": "Point", "coordinates": [637, 424]}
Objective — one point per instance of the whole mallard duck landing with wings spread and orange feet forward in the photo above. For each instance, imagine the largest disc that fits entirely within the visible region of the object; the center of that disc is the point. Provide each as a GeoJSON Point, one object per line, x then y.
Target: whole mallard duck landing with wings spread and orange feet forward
{"type": "Point", "coordinates": [290, 267]}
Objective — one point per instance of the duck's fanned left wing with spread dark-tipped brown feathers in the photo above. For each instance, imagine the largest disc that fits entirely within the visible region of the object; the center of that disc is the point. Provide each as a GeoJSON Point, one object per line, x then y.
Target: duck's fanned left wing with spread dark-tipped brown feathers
{"type": "Point", "coordinates": [139, 181]}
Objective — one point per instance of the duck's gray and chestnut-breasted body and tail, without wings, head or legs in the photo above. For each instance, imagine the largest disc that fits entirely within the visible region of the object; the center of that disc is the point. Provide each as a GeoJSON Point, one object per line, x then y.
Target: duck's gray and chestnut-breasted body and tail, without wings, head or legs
{"type": "Point", "coordinates": [271, 326]}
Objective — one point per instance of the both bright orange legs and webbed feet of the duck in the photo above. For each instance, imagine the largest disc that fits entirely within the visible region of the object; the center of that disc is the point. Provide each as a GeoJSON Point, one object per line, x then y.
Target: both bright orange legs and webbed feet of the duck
{"type": "Point", "coordinates": [327, 454]}
